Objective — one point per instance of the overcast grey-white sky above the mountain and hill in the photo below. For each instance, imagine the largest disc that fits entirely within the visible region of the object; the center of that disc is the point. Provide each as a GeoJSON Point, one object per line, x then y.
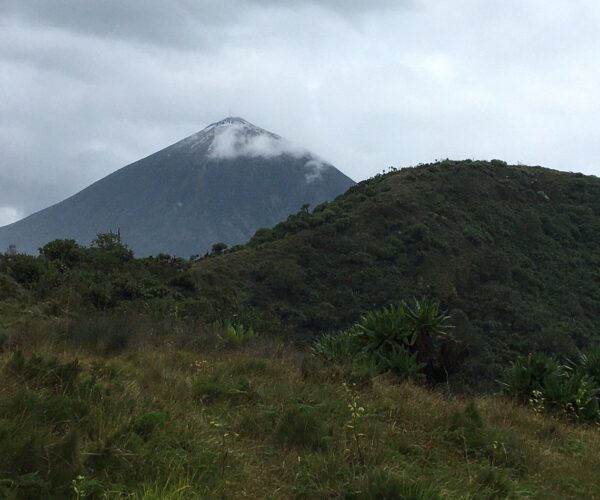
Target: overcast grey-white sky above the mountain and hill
{"type": "Point", "coordinates": [87, 87]}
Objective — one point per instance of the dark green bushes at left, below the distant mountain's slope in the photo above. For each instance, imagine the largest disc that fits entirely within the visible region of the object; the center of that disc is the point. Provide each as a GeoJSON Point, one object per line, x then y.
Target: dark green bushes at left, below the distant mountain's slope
{"type": "Point", "coordinates": [103, 277]}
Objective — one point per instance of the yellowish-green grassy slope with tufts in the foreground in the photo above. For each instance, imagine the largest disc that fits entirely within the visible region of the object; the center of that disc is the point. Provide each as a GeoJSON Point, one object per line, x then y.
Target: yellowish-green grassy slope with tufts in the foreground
{"type": "Point", "coordinates": [264, 421]}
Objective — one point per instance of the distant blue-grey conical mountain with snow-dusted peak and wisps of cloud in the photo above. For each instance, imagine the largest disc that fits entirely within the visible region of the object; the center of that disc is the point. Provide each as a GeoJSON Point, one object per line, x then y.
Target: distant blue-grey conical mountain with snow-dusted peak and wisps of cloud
{"type": "Point", "coordinates": [218, 185]}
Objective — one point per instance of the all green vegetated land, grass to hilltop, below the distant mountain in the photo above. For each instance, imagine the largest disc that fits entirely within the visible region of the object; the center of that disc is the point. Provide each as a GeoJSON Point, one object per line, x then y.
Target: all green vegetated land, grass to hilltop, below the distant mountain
{"type": "Point", "coordinates": [300, 365]}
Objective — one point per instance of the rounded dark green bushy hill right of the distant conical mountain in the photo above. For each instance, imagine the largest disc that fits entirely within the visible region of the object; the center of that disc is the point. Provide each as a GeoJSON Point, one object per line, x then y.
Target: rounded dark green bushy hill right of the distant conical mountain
{"type": "Point", "coordinates": [512, 252]}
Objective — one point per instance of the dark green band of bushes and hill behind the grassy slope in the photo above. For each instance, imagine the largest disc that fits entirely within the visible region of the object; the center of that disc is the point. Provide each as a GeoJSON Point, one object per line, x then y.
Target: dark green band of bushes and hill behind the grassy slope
{"type": "Point", "coordinates": [508, 251]}
